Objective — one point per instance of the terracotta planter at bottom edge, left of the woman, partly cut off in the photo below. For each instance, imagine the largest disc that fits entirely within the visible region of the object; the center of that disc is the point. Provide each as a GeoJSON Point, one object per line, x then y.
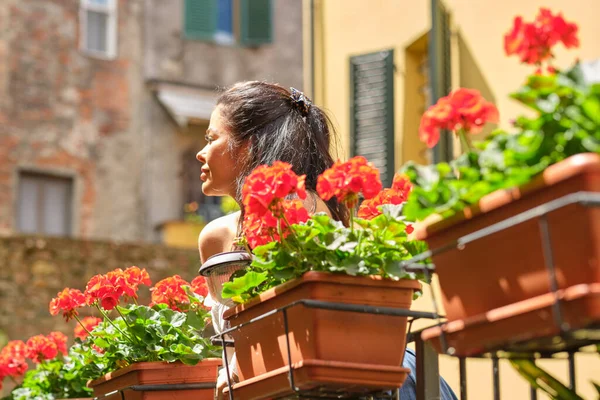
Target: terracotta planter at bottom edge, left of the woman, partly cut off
{"type": "Point", "coordinates": [143, 381]}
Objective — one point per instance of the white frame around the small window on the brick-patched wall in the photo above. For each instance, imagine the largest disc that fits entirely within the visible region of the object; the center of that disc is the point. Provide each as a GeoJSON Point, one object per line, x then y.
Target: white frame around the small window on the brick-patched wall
{"type": "Point", "coordinates": [111, 10]}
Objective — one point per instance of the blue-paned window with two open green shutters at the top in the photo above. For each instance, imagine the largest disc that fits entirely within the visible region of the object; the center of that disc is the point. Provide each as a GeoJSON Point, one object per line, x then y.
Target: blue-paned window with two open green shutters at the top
{"type": "Point", "coordinates": [248, 22]}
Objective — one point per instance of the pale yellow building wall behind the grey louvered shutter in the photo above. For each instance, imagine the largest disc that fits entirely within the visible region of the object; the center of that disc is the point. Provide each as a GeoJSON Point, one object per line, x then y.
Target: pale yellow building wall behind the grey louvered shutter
{"type": "Point", "coordinates": [345, 28]}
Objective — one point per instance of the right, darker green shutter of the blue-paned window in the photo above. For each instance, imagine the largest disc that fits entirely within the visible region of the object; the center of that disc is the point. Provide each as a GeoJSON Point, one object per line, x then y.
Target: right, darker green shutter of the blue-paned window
{"type": "Point", "coordinates": [256, 22]}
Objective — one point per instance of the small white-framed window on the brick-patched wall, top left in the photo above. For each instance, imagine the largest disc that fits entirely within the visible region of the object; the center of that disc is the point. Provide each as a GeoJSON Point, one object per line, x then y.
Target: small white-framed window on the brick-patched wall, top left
{"type": "Point", "coordinates": [98, 27]}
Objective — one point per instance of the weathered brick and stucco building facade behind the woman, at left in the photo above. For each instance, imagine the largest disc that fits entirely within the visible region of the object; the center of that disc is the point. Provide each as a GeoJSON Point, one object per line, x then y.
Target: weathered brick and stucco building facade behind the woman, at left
{"type": "Point", "coordinates": [104, 104]}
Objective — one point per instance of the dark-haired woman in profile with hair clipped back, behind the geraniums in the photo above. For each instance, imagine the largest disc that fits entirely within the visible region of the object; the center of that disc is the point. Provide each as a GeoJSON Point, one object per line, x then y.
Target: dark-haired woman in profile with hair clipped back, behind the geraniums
{"type": "Point", "coordinates": [256, 123]}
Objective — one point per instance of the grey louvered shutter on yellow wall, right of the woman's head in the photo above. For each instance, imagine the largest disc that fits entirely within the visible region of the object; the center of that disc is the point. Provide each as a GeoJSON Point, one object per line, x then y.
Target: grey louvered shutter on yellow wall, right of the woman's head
{"type": "Point", "coordinates": [372, 110]}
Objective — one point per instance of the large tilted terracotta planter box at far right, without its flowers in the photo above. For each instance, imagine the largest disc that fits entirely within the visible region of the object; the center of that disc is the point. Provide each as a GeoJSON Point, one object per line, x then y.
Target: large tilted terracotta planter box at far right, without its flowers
{"type": "Point", "coordinates": [508, 267]}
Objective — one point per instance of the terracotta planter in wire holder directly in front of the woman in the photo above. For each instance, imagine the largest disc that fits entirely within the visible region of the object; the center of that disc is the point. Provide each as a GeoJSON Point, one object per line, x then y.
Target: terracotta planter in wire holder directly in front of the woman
{"type": "Point", "coordinates": [331, 346]}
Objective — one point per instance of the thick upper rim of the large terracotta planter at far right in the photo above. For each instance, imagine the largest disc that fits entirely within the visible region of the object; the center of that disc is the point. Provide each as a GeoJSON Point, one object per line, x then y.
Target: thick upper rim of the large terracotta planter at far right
{"type": "Point", "coordinates": [570, 167]}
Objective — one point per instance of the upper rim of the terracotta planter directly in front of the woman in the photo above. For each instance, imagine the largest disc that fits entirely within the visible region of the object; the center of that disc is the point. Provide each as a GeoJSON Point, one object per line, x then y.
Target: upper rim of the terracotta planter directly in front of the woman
{"type": "Point", "coordinates": [319, 276]}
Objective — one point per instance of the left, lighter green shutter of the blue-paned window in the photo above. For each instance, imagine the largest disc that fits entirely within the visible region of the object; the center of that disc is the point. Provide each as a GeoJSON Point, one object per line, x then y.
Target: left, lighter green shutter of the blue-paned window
{"type": "Point", "coordinates": [200, 19]}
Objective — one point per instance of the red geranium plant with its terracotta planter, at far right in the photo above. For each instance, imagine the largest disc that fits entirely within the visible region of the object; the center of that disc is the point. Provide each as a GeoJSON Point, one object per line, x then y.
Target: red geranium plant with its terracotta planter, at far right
{"type": "Point", "coordinates": [498, 288]}
